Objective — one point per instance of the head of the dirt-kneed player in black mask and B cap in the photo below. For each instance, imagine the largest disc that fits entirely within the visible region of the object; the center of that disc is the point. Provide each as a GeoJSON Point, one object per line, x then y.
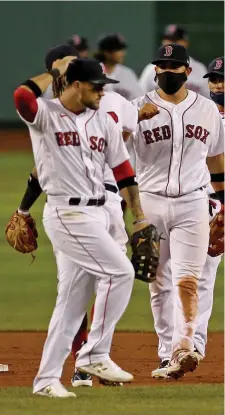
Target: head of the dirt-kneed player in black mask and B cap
{"type": "Point", "coordinates": [172, 68]}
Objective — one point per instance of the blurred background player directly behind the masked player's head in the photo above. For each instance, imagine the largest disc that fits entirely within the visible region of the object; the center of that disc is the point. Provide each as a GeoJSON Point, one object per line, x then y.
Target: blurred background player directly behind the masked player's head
{"type": "Point", "coordinates": [195, 82]}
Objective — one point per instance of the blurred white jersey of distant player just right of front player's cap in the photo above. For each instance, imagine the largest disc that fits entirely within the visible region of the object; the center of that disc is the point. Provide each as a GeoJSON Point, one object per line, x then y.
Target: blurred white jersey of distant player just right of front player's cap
{"type": "Point", "coordinates": [128, 85]}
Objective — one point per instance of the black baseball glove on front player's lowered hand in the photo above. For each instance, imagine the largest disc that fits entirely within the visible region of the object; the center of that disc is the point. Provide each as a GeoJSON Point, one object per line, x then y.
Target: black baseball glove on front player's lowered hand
{"type": "Point", "coordinates": [145, 259]}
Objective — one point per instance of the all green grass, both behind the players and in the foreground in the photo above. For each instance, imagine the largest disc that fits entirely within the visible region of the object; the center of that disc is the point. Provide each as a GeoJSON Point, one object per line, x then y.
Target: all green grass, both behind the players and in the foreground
{"type": "Point", "coordinates": [27, 297]}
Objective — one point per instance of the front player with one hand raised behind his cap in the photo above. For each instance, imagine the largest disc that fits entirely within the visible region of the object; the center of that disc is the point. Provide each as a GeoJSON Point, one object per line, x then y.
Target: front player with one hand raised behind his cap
{"type": "Point", "coordinates": [66, 132]}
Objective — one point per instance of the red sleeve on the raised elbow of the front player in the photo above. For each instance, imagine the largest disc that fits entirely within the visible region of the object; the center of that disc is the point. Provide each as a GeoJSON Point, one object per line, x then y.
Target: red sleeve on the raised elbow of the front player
{"type": "Point", "coordinates": [25, 103]}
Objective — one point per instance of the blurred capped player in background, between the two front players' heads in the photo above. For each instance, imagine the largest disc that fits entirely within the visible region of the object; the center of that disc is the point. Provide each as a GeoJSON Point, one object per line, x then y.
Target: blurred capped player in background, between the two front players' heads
{"type": "Point", "coordinates": [111, 51]}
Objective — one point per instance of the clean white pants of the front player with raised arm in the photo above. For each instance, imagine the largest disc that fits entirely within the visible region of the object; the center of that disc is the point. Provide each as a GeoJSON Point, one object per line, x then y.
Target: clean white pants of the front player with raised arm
{"type": "Point", "coordinates": [85, 253]}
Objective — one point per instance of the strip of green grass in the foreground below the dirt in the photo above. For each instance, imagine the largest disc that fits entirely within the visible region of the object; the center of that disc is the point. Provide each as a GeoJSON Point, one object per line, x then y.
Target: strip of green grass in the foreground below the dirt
{"type": "Point", "coordinates": [169, 400]}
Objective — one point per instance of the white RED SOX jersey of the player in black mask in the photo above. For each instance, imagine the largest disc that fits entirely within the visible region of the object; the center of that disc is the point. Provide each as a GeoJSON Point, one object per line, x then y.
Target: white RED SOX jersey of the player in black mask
{"type": "Point", "coordinates": [172, 147]}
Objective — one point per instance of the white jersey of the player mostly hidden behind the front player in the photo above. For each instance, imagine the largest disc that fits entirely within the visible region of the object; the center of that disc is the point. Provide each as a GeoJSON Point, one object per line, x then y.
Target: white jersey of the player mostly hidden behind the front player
{"type": "Point", "coordinates": [126, 113]}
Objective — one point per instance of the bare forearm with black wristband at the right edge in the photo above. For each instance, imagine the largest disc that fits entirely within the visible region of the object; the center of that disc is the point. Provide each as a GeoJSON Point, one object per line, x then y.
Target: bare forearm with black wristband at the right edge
{"type": "Point", "coordinates": [216, 168]}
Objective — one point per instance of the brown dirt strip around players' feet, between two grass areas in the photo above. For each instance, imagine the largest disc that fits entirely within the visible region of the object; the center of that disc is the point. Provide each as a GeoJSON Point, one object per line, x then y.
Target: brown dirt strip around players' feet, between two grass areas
{"type": "Point", "coordinates": [135, 352]}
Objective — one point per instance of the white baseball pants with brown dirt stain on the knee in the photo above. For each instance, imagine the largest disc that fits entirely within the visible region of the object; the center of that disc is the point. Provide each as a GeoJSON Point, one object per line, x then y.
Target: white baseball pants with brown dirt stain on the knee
{"type": "Point", "coordinates": [183, 222]}
